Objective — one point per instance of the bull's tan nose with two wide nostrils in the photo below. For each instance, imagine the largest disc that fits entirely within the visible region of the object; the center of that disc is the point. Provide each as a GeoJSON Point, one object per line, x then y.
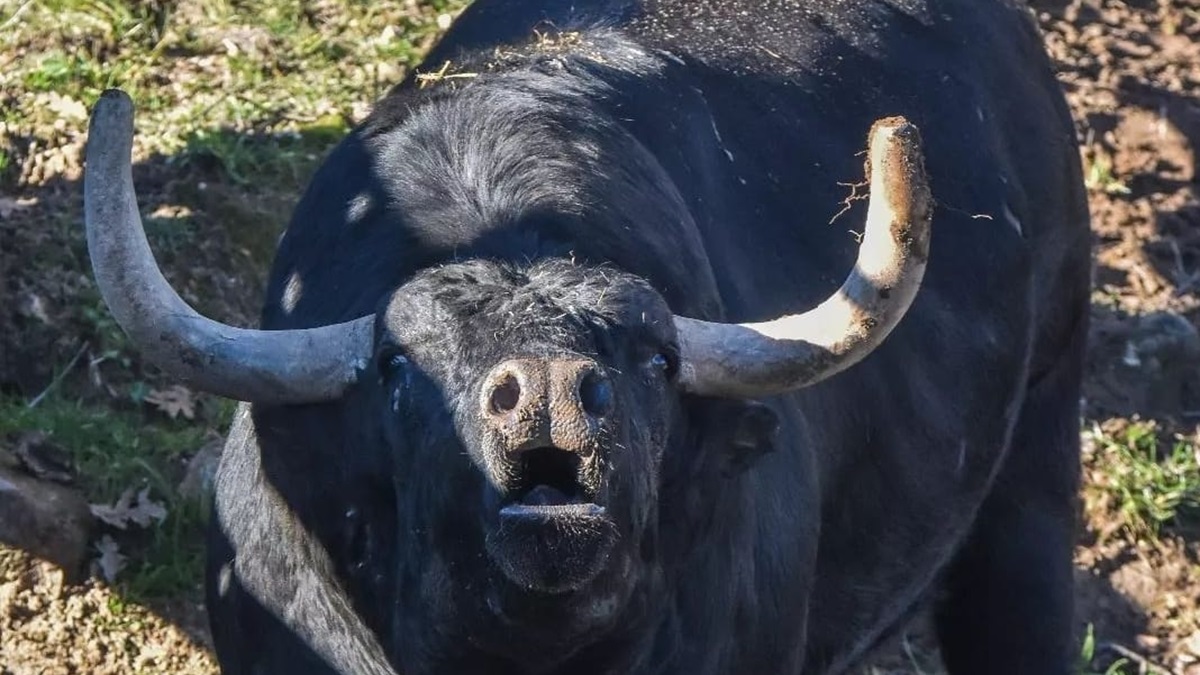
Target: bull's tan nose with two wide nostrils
{"type": "Point", "coordinates": [547, 403]}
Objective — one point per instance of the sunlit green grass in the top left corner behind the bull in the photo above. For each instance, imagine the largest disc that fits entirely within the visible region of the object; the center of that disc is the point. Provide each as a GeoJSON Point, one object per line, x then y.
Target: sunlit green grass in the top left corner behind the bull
{"type": "Point", "coordinates": [271, 67]}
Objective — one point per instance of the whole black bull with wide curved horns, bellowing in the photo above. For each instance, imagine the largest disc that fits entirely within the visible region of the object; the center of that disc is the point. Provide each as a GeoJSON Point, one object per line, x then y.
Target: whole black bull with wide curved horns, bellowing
{"type": "Point", "coordinates": [487, 432]}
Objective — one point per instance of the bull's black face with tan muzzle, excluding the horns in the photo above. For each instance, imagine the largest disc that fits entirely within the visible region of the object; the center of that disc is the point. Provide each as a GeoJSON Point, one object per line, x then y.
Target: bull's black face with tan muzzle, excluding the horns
{"type": "Point", "coordinates": [541, 402]}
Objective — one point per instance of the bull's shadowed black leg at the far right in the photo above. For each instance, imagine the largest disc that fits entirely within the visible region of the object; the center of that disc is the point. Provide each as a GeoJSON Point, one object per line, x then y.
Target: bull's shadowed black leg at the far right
{"type": "Point", "coordinates": [1010, 598]}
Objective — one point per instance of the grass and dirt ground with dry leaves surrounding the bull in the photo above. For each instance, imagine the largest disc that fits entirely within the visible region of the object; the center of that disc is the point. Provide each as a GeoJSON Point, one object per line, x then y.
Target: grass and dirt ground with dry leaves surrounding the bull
{"type": "Point", "coordinates": [238, 100]}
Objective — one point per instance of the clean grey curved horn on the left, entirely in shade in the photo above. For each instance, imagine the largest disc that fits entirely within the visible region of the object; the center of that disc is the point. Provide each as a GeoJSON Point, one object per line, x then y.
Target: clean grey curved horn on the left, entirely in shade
{"type": "Point", "coordinates": [273, 367]}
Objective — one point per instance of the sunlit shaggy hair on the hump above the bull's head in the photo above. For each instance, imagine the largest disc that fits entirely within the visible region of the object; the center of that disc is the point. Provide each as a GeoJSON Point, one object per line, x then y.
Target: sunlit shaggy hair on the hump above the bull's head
{"type": "Point", "coordinates": [506, 142]}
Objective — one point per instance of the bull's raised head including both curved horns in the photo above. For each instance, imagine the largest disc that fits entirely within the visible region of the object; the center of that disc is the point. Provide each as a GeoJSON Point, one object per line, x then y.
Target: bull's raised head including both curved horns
{"type": "Point", "coordinates": [562, 381]}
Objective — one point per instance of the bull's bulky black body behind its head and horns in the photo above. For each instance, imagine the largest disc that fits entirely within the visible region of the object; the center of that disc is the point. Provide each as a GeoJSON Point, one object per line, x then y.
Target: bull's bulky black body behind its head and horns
{"type": "Point", "coordinates": [946, 462]}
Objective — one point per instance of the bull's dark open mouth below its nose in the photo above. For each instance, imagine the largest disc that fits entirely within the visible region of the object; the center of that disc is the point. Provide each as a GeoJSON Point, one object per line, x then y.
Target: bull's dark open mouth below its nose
{"type": "Point", "coordinates": [548, 480]}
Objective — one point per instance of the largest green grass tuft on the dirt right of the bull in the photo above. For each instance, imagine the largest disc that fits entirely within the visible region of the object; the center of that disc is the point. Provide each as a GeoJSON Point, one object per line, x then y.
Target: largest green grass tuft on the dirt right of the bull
{"type": "Point", "coordinates": [1149, 483]}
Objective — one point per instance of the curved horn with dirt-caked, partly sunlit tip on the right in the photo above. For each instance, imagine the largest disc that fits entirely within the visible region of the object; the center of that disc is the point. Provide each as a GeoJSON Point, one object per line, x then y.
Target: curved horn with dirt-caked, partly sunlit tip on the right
{"type": "Point", "coordinates": [795, 351]}
